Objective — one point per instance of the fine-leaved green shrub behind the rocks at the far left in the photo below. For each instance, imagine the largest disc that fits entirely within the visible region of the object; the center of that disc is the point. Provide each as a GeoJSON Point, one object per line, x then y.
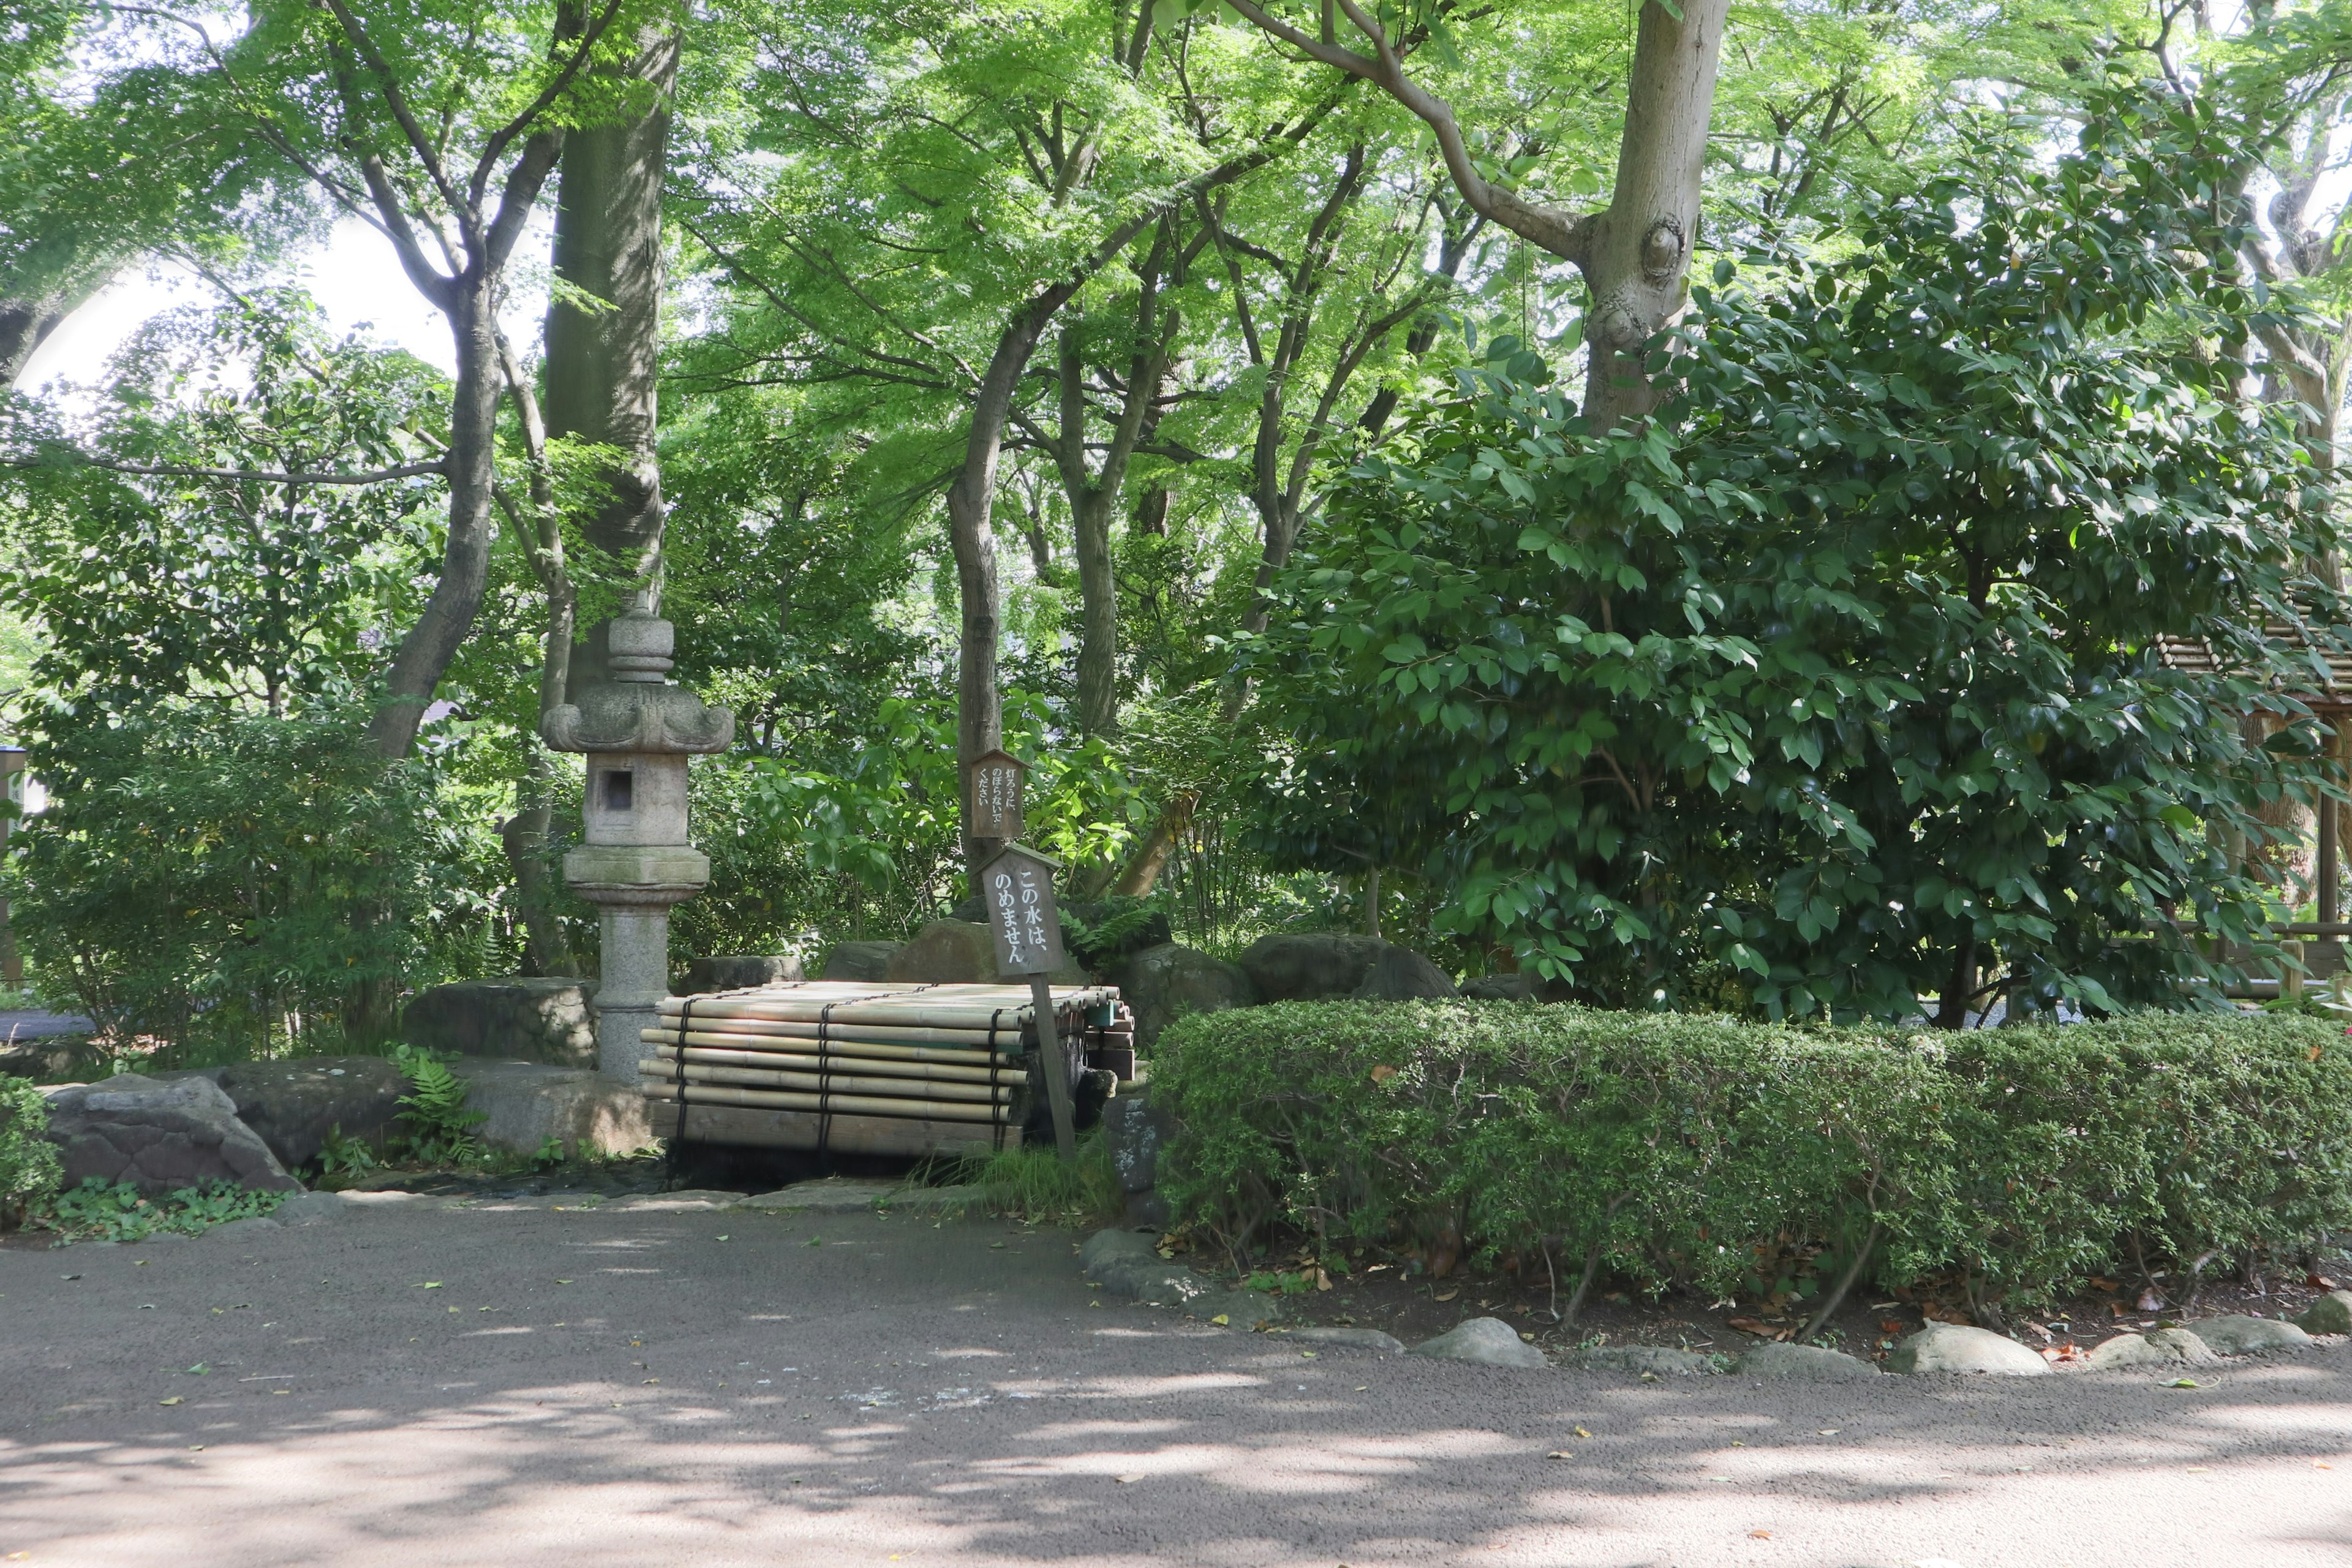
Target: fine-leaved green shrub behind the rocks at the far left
{"type": "Point", "coordinates": [241, 885]}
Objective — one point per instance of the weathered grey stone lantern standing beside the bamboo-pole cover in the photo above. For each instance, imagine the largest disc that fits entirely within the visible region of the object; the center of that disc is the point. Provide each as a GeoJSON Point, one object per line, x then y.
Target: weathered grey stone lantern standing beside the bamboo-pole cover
{"type": "Point", "coordinates": [639, 732]}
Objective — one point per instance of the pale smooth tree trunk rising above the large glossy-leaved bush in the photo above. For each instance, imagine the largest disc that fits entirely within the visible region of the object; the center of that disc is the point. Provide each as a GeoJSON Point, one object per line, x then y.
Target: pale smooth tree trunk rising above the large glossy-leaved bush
{"type": "Point", "coordinates": [1641, 250]}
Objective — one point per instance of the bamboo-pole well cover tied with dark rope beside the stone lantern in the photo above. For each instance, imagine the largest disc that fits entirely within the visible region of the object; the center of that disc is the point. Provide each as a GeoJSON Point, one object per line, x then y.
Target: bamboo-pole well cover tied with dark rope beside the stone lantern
{"type": "Point", "coordinates": [871, 1068]}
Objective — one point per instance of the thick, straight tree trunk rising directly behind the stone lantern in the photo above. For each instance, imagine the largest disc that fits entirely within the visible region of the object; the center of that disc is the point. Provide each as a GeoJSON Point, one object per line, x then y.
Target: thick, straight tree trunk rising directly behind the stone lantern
{"type": "Point", "coordinates": [603, 363]}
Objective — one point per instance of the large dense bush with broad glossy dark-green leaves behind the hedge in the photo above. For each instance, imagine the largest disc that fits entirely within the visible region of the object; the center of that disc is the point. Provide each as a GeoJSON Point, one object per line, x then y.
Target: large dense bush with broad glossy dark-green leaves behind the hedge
{"type": "Point", "coordinates": [1840, 683]}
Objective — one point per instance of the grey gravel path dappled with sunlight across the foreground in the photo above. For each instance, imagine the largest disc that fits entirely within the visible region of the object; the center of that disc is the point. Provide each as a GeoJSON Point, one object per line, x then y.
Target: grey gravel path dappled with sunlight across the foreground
{"type": "Point", "coordinates": [535, 1383]}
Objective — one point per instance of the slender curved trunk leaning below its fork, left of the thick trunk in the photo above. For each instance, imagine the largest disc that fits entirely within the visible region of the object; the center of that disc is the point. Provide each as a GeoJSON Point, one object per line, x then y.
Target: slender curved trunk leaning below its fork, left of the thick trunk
{"type": "Point", "coordinates": [474, 408]}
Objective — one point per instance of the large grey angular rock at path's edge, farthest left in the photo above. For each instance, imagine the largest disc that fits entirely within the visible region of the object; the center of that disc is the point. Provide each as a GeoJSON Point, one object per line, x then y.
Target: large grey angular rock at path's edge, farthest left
{"type": "Point", "coordinates": [159, 1137]}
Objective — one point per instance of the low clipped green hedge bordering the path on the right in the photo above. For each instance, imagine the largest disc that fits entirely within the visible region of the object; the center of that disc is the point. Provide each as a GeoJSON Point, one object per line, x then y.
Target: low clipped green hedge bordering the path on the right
{"type": "Point", "coordinates": [1746, 1160]}
